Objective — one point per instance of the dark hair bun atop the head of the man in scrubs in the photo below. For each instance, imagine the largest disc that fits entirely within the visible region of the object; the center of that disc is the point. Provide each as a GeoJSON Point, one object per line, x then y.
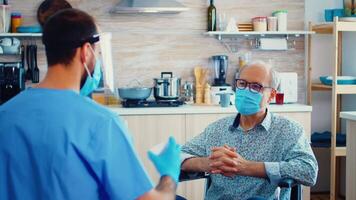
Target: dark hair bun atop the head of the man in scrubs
{"type": "Point", "coordinates": [49, 7]}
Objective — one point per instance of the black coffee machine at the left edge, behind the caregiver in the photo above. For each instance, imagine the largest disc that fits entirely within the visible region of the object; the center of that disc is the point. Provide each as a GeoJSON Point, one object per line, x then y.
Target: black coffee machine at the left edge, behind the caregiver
{"type": "Point", "coordinates": [12, 80]}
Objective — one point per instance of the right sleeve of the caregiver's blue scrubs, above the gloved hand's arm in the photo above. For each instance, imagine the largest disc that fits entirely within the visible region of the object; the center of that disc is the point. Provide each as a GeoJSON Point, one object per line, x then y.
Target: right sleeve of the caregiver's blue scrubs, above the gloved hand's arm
{"type": "Point", "coordinates": [121, 173]}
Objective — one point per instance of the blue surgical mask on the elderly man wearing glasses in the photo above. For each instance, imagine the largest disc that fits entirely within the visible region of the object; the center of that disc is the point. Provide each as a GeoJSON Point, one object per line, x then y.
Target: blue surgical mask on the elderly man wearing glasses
{"type": "Point", "coordinates": [247, 102]}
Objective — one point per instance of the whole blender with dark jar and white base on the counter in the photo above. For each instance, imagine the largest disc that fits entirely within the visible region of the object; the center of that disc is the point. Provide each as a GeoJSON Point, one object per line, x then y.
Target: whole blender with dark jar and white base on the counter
{"type": "Point", "coordinates": [220, 65]}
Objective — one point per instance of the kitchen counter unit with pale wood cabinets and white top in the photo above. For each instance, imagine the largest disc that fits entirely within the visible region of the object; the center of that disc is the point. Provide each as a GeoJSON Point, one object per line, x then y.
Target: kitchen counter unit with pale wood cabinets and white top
{"type": "Point", "coordinates": [152, 126]}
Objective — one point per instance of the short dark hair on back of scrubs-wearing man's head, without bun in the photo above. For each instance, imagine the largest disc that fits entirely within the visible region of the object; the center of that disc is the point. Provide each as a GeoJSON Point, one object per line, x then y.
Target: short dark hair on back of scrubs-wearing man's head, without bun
{"type": "Point", "coordinates": [64, 32]}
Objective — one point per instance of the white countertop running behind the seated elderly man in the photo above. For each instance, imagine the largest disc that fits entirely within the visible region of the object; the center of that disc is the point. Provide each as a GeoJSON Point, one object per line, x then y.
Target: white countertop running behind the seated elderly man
{"type": "Point", "coordinates": [201, 109]}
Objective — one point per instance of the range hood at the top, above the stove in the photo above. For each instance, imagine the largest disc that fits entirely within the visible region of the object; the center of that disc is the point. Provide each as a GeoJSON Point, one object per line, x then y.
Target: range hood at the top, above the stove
{"type": "Point", "coordinates": [148, 6]}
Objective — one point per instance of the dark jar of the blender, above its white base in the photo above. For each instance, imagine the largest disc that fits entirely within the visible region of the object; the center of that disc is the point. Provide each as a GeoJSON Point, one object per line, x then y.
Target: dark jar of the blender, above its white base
{"type": "Point", "coordinates": [220, 64]}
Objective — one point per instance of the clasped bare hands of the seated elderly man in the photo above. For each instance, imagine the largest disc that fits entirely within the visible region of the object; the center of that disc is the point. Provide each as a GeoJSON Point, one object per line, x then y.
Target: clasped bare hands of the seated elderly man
{"type": "Point", "coordinates": [226, 161]}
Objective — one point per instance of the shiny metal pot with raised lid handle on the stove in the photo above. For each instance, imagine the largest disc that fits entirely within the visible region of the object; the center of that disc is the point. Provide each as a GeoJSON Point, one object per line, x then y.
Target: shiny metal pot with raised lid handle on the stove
{"type": "Point", "coordinates": [167, 87]}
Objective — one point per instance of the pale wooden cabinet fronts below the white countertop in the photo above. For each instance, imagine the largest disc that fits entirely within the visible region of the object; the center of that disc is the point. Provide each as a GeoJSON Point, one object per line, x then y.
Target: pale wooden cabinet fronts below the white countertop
{"type": "Point", "coordinates": [149, 130]}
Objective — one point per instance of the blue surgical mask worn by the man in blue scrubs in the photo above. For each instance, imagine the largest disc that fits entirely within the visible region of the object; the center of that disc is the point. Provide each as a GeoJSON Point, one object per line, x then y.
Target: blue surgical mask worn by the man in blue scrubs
{"type": "Point", "coordinates": [92, 81]}
